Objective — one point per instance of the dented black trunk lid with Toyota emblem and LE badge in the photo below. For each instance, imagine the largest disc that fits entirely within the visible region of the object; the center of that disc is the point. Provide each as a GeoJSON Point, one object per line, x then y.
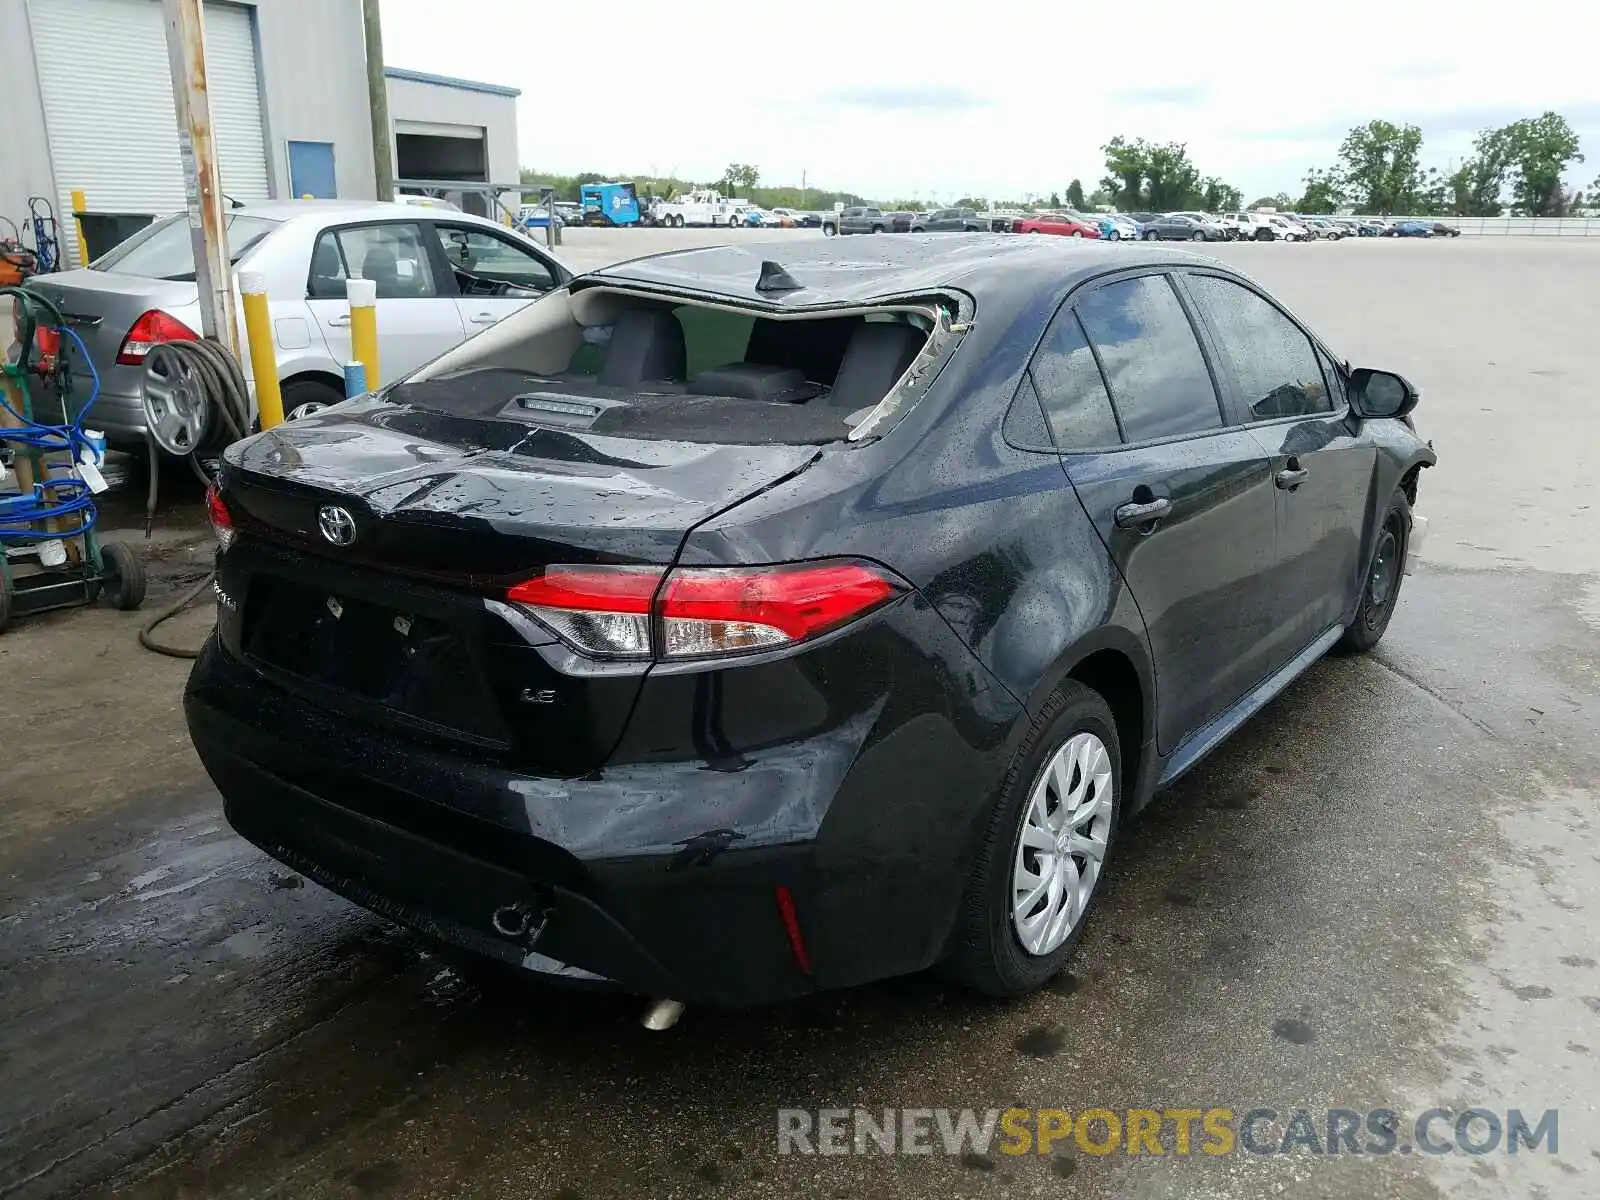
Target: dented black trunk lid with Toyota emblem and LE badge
{"type": "Point", "coordinates": [402, 628]}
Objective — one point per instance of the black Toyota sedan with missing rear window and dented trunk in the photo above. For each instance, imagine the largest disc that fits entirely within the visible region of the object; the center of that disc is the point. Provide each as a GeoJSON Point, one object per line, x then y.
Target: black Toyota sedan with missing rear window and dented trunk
{"type": "Point", "coordinates": [722, 630]}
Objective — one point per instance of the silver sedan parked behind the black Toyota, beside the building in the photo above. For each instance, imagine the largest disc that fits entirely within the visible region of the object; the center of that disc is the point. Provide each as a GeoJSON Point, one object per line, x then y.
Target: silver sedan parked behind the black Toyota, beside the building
{"type": "Point", "coordinates": [442, 276]}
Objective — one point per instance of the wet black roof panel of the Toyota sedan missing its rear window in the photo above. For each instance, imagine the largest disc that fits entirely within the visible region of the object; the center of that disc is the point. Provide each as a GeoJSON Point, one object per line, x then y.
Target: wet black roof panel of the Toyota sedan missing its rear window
{"type": "Point", "coordinates": [854, 271]}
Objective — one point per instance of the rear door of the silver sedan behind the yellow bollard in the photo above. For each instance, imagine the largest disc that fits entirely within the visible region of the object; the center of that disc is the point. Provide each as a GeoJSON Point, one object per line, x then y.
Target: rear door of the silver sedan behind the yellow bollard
{"type": "Point", "coordinates": [417, 321]}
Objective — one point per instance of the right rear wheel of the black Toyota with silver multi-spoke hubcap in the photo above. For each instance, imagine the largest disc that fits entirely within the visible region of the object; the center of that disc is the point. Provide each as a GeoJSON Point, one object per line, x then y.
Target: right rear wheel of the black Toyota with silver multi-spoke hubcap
{"type": "Point", "coordinates": [1039, 866]}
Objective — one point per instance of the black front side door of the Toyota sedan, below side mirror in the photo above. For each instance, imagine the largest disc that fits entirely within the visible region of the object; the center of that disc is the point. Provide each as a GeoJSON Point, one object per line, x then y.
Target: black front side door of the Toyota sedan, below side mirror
{"type": "Point", "coordinates": [1289, 393]}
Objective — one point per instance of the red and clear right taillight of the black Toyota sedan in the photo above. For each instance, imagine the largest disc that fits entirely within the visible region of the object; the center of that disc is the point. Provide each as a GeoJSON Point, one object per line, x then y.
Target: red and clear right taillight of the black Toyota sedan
{"type": "Point", "coordinates": [610, 612]}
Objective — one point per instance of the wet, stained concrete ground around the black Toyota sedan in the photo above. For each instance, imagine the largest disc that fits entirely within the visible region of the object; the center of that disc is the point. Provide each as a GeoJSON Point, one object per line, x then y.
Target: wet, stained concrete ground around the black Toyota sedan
{"type": "Point", "coordinates": [1382, 894]}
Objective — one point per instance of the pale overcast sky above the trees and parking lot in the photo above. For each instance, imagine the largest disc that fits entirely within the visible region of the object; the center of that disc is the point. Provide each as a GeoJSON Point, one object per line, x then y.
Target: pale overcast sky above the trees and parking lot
{"type": "Point", "coordinates": [918, 100]}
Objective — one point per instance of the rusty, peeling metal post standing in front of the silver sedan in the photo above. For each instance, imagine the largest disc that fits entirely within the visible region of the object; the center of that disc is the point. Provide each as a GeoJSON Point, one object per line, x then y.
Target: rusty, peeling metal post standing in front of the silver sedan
{"type": "Point", "coordinates": [193, 100]}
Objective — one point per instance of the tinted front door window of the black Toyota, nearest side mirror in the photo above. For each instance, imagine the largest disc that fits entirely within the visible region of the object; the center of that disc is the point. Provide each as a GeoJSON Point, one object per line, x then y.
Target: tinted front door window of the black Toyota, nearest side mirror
{"type": "Point", "coordinates": [1270, 358]}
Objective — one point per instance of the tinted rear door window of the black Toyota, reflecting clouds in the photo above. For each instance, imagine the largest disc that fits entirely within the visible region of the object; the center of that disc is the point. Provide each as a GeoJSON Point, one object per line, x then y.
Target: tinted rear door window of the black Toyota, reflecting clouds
{"type": "Point", "coordinates": [1154, 367]}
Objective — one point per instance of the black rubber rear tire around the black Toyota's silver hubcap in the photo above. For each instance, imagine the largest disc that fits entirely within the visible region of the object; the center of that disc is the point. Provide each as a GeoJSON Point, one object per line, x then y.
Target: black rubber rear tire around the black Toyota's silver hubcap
{"type": "Point", "coordinates": [990, 954]}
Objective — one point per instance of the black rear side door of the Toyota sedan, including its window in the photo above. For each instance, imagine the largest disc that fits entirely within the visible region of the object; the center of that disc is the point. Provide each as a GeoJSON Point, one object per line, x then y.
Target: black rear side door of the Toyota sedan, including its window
{"type": "Point", "coordinates": [1185, 503]}
